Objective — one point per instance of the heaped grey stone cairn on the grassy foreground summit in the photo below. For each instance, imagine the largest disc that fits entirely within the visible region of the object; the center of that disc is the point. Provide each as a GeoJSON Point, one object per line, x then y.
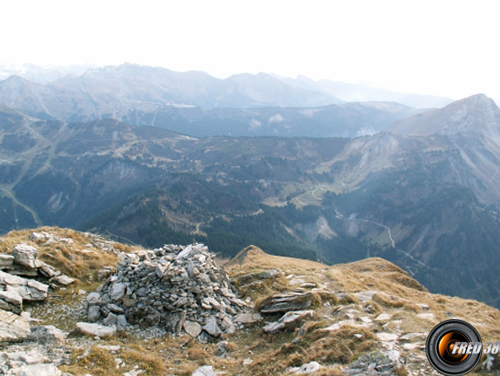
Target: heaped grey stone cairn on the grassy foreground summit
{"type": "Point", "coordinates": [174, 287]}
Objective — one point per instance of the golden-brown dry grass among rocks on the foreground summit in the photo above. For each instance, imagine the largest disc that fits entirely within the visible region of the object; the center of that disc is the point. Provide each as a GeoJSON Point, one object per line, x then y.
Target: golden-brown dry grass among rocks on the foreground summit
{"type": "Point", "coordinates": [398, 294]}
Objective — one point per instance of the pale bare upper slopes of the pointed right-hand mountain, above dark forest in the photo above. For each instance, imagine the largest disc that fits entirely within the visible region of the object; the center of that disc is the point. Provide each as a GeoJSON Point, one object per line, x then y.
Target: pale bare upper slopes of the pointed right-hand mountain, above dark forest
{"type": "Point", "coordinates": [464, 135]}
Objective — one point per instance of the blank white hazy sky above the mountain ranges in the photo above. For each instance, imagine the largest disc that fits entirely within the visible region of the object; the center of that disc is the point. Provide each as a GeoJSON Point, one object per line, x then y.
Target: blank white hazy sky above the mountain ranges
{"type": "Point", "coordinates": [447, 48]}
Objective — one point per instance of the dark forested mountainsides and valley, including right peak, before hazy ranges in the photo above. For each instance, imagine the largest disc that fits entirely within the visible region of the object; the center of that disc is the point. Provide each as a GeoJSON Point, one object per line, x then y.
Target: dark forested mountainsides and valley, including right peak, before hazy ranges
{"type": "Point", "coordinates": [422, 200]}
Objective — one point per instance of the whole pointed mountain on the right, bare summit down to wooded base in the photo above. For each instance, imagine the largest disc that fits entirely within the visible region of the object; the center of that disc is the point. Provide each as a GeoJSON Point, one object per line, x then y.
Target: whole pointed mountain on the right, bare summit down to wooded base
{"type": "Point", "coordinates": [429, 186]}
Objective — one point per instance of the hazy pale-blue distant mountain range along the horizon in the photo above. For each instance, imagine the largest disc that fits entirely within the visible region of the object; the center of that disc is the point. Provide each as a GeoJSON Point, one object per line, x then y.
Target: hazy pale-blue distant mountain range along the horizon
{"type": "Point", "coordinates": [197, 104]}
